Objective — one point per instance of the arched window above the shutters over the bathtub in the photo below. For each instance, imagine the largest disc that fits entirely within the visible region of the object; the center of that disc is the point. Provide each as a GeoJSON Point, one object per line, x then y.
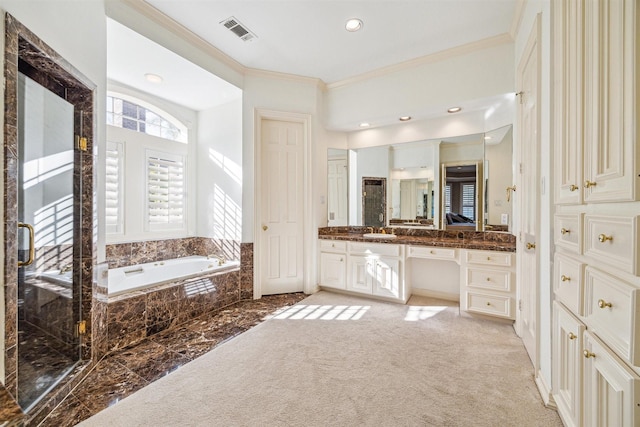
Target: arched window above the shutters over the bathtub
{"type": "Point", "coordinates": [129, 113]}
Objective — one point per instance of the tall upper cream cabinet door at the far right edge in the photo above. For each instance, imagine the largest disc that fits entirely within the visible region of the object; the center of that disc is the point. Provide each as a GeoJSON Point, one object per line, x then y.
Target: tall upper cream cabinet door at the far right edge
{"type": "Point", "coordinates": [611, 152]}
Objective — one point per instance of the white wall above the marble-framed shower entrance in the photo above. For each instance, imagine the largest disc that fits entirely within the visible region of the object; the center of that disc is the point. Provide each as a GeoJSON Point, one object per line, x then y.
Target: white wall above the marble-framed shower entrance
{"type": "Point", "coordinates": [76, 31]}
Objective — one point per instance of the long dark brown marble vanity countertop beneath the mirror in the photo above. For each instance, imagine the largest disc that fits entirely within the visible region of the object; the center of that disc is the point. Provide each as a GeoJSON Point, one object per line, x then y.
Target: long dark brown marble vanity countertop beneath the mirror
{"type": "Point", "coordinates": [438, 238]}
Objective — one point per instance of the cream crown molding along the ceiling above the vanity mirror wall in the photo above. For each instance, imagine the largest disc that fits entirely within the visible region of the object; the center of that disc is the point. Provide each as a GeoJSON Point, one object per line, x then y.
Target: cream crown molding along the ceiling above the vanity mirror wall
{"type": "Point", "coordinates": [435, 57]}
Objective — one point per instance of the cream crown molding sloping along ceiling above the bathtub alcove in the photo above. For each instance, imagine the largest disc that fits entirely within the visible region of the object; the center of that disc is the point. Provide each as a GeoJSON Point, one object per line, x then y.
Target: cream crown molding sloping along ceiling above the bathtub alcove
{"type": "Point", "coordinates": [182, 32]}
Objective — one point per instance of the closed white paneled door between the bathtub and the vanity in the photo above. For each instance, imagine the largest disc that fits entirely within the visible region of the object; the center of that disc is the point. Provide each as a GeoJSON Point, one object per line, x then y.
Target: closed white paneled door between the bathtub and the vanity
{"type": "Point", "coordinates": [281, 186]}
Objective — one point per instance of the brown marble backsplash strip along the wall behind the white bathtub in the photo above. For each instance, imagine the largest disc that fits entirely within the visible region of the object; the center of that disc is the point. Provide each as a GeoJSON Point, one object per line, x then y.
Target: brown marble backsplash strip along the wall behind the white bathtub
{"type": "Point", "coordinates": [133, 253]}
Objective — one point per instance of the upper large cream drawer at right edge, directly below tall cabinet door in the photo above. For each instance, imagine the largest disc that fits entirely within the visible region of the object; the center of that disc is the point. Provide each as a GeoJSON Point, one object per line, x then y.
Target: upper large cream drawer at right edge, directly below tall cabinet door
{"type": "Point", "coordinates": [612, 240]}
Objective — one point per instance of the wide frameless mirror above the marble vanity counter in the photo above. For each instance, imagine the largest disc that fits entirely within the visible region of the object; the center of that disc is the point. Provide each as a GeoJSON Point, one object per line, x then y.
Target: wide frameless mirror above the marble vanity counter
{"type": "Point", "coordinates": [449, 183]}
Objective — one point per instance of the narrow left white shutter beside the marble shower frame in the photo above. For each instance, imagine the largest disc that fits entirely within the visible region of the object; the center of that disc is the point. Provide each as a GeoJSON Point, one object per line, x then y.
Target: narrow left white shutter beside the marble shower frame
{"type": "Point", "coordinates": [113, 187]}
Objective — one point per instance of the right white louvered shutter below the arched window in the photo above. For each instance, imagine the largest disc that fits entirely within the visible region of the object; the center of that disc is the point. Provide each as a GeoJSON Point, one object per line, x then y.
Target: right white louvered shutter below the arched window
{"type": "Point", "coordinates": [165, 190]}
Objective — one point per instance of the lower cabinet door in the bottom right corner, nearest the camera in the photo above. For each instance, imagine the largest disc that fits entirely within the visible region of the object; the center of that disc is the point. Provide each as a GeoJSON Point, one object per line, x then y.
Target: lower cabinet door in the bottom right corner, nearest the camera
{"type": "Point", "coordinates": [610, 387]}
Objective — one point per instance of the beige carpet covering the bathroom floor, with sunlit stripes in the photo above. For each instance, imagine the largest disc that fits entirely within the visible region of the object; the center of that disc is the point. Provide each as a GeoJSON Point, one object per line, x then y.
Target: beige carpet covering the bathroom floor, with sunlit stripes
{"type": "Point", "coordinates": [335, 360]}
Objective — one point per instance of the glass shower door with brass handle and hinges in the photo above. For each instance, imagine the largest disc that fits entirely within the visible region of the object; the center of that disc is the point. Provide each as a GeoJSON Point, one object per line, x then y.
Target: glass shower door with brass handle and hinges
{"type": "Point", "coordinates": [48, 346]}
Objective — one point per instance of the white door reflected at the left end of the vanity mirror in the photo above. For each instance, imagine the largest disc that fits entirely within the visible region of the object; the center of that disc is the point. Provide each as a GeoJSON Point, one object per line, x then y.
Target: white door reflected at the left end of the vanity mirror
{"type": "Point", "coordinates": [337, 181]}
